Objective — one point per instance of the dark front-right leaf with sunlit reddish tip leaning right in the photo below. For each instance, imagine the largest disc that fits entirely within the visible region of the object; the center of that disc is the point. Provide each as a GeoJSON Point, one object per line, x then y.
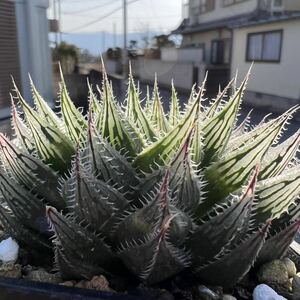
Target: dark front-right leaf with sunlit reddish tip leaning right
{"type": "Point", "coordinates": [223, 224]}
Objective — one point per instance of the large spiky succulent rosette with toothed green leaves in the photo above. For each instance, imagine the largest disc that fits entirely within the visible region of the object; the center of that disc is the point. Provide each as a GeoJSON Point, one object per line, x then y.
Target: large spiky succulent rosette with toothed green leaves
{"type": "Point", "coordinates": [129, 185]}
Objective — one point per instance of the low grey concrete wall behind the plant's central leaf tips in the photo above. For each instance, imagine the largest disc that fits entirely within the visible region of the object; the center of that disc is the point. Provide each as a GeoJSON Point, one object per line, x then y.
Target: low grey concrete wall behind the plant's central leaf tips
{"type": "Point", "coordinates": [166, 71]}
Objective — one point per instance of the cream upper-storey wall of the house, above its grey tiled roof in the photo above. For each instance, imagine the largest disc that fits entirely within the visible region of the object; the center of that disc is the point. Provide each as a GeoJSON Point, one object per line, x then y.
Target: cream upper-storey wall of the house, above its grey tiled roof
{"type": "Point", "coordinates": [221, 11]}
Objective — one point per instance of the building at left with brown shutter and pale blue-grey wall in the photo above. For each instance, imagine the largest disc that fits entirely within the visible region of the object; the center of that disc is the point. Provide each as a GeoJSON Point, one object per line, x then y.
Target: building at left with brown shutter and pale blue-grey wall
{"type": "Point", "coordinates": [24, 49]}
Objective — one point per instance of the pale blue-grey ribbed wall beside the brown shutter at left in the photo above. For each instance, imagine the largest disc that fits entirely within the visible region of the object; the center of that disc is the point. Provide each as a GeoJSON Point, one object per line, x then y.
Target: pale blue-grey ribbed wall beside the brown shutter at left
{"type": "Point", "coordinates": [34, 51]}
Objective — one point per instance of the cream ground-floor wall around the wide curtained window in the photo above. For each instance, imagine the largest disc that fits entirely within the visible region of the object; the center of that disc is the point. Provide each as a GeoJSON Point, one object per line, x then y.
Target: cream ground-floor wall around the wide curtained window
{"type": "Point", "coordinates": [267, 79]}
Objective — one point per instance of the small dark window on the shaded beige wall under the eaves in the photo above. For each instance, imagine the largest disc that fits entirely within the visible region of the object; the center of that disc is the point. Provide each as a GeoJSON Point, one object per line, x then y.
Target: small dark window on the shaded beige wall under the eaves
{"type": "Point", "coordinates": [220, 52]}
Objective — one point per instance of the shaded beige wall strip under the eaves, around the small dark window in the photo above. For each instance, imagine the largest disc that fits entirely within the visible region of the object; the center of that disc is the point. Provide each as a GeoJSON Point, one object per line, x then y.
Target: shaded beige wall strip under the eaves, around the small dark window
{"type": "Point", "coordinates": [205, 38]}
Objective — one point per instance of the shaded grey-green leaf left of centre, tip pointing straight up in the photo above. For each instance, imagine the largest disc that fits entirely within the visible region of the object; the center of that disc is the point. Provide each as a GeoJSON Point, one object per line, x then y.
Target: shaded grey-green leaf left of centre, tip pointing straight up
{"type": "Point", "coordinates": [91, 200]}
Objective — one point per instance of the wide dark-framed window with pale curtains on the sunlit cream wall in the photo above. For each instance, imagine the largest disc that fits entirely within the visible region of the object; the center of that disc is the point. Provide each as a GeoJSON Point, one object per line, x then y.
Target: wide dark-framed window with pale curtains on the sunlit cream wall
{"type": "Point", "coordinates": [264, 46]}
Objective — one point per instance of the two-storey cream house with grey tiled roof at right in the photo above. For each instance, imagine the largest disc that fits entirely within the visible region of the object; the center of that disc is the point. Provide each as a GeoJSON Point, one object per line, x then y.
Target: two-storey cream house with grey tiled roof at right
{"type": "Point", "coordinates": [233, 33]}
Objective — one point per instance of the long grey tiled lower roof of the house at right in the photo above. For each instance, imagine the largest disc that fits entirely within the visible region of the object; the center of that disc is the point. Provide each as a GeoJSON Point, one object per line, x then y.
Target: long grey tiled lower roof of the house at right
{"type": "Point", "coordinates": [244, 20]}
